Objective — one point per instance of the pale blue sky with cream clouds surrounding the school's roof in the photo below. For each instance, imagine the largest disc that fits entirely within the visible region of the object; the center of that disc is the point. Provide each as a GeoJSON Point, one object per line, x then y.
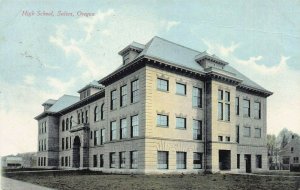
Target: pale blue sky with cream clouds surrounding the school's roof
{"type": "Point", "coordinates": [44, 57]}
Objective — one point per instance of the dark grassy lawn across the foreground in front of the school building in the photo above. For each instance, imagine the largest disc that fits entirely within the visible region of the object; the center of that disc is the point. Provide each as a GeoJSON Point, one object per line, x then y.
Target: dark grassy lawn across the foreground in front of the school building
{"type": "Point", "coordinates": [96, 180]}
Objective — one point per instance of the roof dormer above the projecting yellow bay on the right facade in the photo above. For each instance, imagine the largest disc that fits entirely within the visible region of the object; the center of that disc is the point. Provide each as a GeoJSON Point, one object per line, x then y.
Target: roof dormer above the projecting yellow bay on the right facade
{"type": "Point", "coordinates": [210, 61]}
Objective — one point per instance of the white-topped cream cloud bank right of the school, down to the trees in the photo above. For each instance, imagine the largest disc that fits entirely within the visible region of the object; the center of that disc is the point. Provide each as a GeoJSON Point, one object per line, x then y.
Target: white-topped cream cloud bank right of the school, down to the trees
{"type": "Point", "coordinates": [284, 105]}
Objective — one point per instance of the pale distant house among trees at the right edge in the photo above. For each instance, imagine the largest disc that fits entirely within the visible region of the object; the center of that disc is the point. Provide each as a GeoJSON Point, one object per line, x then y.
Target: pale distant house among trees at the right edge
{"type": "Point", "coordinates": [290, 154]}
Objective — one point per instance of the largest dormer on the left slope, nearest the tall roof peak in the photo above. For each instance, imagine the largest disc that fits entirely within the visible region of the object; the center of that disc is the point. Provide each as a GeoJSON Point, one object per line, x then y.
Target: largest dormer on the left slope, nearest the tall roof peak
{"type": "Point", "coordinates": [130, 52]}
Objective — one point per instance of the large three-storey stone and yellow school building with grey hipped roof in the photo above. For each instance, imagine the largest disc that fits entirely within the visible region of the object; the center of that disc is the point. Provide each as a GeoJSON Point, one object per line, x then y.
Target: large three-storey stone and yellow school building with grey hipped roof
{"type": "Point", "coordinates": [166, 109]}
